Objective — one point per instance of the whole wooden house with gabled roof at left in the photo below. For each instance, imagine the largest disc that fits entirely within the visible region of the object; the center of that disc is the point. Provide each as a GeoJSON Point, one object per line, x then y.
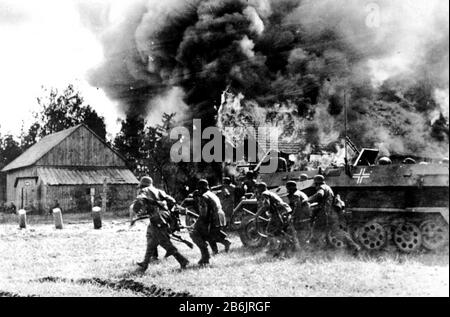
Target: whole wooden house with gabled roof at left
{"type": "Point", "coordinates": [69, 168]}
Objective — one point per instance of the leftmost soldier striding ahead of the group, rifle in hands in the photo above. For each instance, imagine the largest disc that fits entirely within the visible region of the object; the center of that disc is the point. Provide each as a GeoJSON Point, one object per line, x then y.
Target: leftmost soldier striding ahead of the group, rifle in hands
{"type": "Point", "coordinates": [158, 205]}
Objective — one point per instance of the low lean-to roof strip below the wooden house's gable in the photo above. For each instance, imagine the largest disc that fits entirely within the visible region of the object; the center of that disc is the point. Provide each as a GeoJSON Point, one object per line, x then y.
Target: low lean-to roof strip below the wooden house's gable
{"type": "Point", "coordinates": [66, 176]}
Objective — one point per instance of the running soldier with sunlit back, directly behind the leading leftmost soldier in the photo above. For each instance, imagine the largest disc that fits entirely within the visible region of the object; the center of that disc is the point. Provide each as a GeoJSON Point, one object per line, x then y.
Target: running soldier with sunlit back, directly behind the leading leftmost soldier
{"type": "Point", "coordinates": [209, 224]}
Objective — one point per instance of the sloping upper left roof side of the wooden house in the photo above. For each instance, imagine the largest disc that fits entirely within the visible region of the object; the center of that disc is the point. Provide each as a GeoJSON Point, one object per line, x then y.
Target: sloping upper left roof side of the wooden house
{"type": "Point", "coordinates": [39, 149]}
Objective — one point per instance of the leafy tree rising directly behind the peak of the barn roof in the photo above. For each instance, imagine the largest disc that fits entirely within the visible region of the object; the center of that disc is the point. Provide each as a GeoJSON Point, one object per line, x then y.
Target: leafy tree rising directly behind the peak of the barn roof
{"type": "Point", "coordinates": [59, 111]}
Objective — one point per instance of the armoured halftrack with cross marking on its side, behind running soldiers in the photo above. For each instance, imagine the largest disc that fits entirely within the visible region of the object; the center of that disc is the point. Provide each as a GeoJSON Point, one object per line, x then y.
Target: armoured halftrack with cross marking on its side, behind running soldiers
{"type": "Point", "coordinates": [403, 204]}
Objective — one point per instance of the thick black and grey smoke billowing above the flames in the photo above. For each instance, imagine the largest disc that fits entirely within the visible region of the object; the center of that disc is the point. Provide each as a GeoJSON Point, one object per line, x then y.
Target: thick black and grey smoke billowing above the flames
{"type": "Point", "coordinates": [305, 55]}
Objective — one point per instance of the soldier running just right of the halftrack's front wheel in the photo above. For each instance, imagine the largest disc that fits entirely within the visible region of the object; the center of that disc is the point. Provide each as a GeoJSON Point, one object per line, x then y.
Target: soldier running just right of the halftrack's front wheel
{"type": "Point", "coordinates": [280, 229]}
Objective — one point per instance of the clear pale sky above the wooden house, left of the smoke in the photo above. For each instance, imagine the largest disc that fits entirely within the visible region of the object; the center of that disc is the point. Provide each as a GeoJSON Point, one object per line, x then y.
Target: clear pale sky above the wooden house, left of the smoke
{"type": "Point", "coordinates": [44, 43]}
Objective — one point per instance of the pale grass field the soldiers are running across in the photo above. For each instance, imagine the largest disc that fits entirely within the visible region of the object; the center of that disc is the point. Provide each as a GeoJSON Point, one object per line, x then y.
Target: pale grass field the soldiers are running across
{"type": "Point", "coordinates": [81, 261]}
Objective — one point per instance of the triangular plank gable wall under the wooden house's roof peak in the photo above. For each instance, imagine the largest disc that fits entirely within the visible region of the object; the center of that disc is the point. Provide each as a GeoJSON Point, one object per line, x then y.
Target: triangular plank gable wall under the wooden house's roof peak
{"type": "Point", "coordinates": [82, 148]}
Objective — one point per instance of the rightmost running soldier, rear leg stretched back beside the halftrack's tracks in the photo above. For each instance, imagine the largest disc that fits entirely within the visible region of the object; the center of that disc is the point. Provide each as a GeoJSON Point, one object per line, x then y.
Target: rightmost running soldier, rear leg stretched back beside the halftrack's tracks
{"type": "Point", "coordinates": [326, 216]}
